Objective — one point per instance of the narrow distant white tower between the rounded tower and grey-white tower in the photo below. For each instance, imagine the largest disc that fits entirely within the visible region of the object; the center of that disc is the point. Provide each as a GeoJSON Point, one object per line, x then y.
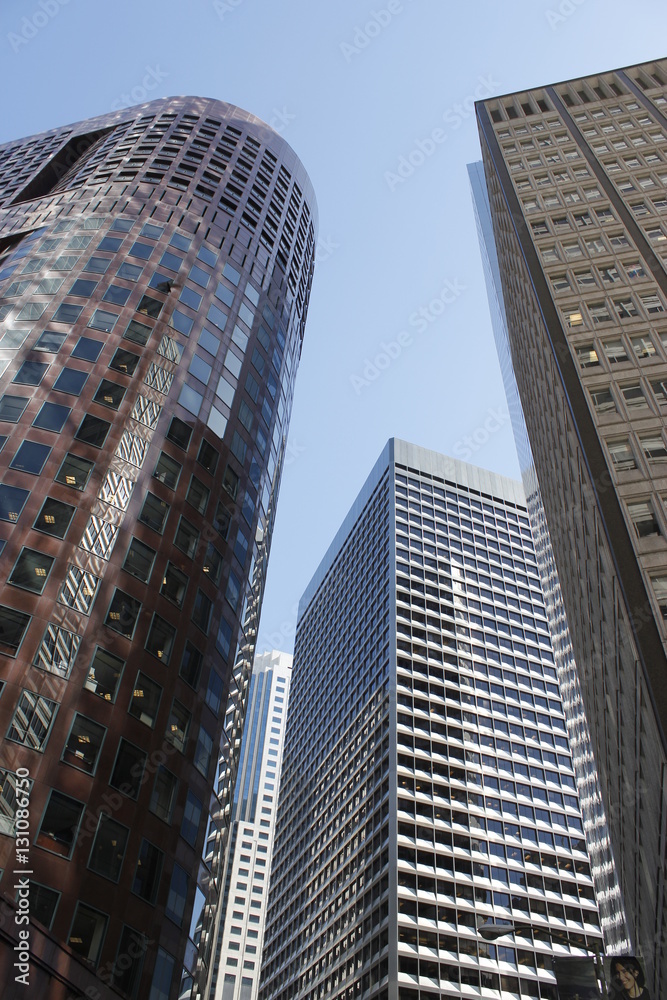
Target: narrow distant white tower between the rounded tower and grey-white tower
{"type": "Point", "coordinates": [248, 859]}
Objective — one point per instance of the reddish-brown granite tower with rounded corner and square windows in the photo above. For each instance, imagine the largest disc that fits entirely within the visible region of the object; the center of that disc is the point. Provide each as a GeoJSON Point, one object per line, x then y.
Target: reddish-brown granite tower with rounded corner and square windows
{"type": "Point", "coordinates": [155, 273]}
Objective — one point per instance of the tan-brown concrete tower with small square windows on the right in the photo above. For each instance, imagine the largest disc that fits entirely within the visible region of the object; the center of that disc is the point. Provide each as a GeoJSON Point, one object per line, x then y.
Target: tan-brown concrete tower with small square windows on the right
{"type": "Point", "coordinates": [576, 175]}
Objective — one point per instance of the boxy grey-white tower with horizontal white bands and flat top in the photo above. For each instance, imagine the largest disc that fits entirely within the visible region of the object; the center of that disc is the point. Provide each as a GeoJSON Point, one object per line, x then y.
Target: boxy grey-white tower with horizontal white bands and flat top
{"type": "Point", "coordinates": [427, 783]}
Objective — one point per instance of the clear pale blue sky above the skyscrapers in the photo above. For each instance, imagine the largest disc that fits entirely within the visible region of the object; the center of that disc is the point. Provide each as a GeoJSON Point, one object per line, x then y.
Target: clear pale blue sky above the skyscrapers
{"type": "Point", "coordinates": [357, 88]}
